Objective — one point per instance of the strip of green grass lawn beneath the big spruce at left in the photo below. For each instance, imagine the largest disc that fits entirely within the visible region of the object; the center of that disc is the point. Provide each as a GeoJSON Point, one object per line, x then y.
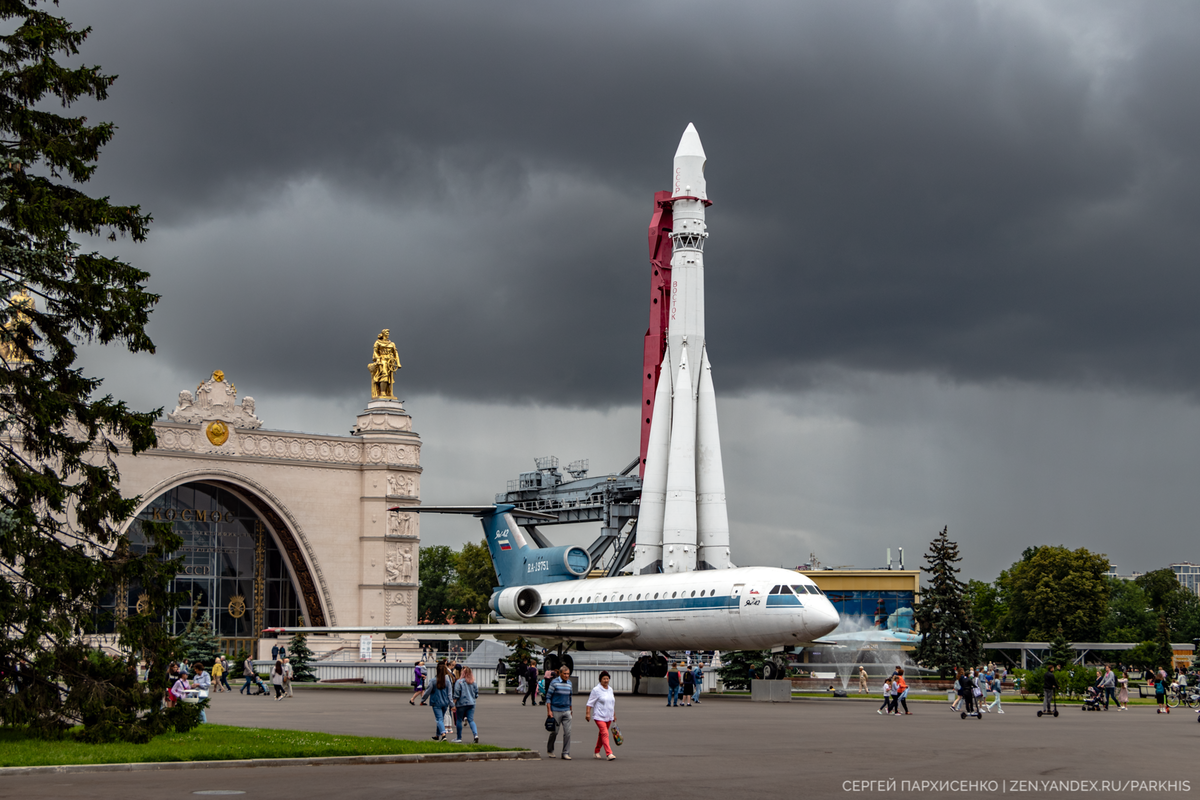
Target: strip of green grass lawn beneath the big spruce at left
{"type": "Point", "coordinates": [212, 743]}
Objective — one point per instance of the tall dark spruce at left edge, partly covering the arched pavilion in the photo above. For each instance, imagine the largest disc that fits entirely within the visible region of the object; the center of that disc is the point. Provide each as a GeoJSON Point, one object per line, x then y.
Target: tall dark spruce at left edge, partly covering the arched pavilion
{"type": "Point", "coordinates": [61, 507]}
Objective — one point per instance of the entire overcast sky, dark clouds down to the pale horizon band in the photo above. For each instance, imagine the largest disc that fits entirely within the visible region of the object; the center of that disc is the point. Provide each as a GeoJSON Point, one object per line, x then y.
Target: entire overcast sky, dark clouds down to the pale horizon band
{"type": "Point", "coordinates": [951, 272]}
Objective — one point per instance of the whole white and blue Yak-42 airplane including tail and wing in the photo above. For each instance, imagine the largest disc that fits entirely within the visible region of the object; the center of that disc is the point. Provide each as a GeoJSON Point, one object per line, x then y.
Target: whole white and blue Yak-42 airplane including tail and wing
{"type": "Point", "coordinates": [544, 596]}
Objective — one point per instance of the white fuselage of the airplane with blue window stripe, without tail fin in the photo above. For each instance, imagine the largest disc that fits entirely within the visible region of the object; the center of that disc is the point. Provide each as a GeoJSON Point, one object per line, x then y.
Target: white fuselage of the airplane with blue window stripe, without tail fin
{"type": "Point", "coordinates": [740, 609]}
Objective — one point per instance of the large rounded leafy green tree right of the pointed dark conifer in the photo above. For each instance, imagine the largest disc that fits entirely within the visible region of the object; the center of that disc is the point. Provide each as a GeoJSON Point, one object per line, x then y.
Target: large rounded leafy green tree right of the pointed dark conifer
{"type": "Point", "coordinates": [1052, 588]}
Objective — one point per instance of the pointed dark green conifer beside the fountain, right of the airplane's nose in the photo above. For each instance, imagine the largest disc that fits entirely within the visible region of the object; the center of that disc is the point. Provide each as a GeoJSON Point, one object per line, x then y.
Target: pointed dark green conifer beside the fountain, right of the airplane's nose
{"type": "Point", "coordinates": [950, 635]}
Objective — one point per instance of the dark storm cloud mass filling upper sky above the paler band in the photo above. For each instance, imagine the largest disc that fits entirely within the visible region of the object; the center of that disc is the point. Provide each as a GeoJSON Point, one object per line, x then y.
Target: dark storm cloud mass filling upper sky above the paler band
{"type": "Point", "coordinates": [976, 191]}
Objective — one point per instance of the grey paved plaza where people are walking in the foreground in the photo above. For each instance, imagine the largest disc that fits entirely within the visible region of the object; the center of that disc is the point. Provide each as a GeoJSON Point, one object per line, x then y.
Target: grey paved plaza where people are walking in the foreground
{"type": "Point", "coordinates": [725, 748]}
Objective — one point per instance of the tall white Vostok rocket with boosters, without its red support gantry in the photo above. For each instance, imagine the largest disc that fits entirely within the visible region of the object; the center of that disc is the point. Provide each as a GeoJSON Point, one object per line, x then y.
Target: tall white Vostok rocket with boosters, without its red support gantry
{"type": "Point", "coordinates": [683, 525]}
